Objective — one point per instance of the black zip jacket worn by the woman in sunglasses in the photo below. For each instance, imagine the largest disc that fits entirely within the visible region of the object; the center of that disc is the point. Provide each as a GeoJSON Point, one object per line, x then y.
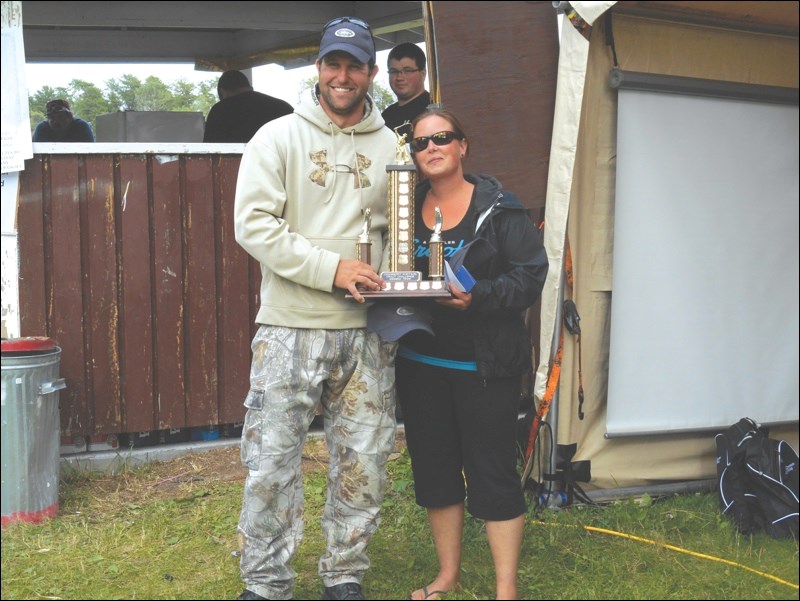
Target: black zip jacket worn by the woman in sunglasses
{"type": "Point", "coordinates": [509, 262]}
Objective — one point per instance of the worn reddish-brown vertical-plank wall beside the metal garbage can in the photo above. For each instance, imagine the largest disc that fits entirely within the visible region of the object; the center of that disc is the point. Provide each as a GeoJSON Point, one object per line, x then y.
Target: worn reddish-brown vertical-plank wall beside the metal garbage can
{"type": "Point", "coordinates": [128, 262]}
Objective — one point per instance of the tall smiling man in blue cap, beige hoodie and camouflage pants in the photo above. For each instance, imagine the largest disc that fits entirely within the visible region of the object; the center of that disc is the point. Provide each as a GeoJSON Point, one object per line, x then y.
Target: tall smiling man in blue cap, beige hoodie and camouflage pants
{"type": "Point", "coordinates": [310, 185]}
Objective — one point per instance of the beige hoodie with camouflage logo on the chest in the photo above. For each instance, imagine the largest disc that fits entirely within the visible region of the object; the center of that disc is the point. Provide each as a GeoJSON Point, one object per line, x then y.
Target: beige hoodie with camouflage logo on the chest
{"type": "Point", "coordinates": [303, 185]}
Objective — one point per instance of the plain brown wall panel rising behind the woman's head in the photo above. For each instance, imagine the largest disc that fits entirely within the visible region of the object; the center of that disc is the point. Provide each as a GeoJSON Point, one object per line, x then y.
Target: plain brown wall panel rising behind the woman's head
{"type": "Point", "coordinates": [497, 66]}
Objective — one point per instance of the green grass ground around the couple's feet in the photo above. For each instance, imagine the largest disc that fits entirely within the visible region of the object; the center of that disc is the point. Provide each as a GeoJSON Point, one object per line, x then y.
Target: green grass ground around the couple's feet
{"type": "Point", "coordinates": [121, 537]}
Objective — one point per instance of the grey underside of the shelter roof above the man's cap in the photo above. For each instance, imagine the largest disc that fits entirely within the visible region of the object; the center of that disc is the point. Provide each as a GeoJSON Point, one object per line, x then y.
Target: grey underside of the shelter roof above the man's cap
{"type": "Point", "coordinates": [213, 35]}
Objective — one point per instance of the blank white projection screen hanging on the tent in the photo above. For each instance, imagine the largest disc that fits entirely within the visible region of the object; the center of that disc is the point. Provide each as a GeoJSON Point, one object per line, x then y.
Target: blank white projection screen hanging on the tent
{"type": "Point", "coordinates": [704, 317]}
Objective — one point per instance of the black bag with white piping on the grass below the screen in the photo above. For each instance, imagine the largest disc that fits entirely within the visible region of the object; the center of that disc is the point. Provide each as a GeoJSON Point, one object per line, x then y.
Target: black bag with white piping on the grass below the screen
{"type": "Point", "coordinates": [758, 480]}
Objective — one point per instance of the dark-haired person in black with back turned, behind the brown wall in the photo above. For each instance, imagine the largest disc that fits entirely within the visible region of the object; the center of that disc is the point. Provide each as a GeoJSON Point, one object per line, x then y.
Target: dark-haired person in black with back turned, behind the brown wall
{"type": "Point", "coordinates": [241, 111]}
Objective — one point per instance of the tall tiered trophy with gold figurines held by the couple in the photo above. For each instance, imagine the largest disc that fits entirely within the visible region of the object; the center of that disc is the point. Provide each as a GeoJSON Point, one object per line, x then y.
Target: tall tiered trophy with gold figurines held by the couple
{"type": "Point", "coordinates": [401, 279]}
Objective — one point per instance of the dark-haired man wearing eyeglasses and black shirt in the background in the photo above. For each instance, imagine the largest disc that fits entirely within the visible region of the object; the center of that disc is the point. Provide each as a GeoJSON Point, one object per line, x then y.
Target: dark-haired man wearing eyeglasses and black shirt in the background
{"type": "Point", "coordinates": [406, 64]}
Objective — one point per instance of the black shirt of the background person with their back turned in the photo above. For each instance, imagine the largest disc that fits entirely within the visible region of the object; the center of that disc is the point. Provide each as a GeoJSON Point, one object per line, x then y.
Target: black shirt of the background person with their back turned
{"type": "Point", "coordinates": [238, 118]}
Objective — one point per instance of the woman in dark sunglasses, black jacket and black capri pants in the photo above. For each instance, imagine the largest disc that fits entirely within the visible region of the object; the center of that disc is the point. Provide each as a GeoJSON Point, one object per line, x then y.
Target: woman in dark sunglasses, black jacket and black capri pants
{"type": "Point", "coordinates": [460, 388]}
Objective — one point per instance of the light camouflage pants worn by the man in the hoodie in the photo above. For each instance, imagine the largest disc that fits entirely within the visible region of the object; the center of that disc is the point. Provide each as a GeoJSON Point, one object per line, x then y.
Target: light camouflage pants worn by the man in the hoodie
{"type": "Point", "coordinates": [351, 373]}
